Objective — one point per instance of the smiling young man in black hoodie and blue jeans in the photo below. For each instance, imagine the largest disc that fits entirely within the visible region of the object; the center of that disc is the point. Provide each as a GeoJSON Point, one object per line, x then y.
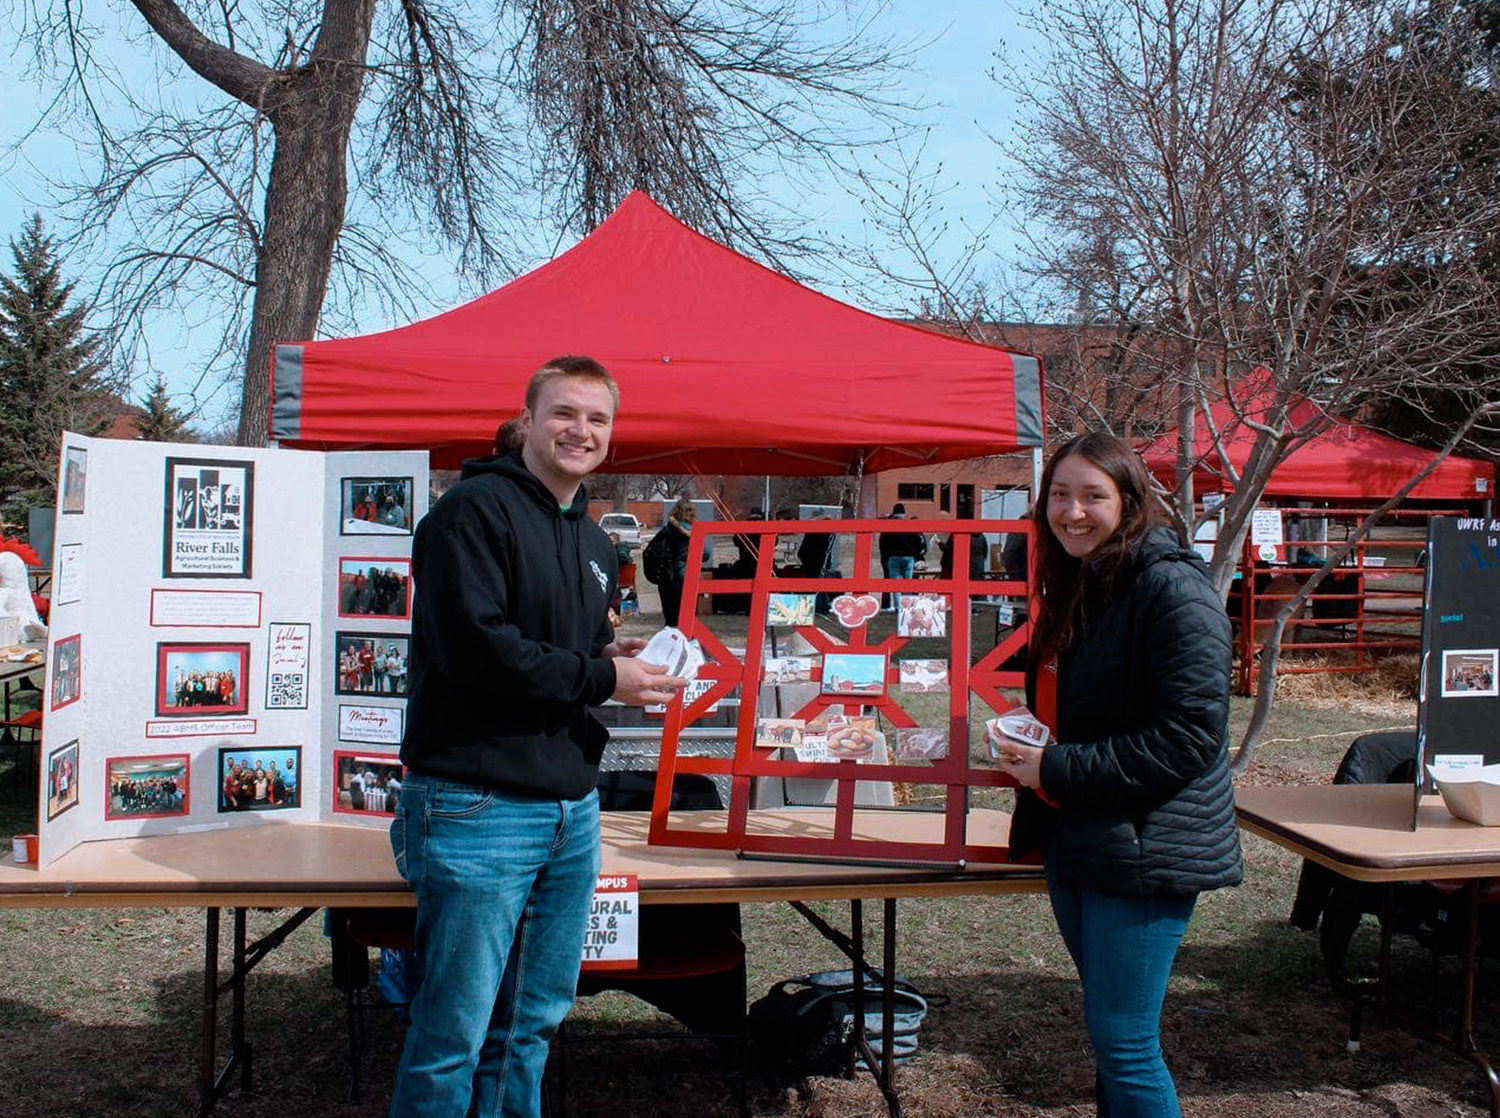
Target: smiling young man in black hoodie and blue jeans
{"type": "Point", "coordinates": [497, 828]}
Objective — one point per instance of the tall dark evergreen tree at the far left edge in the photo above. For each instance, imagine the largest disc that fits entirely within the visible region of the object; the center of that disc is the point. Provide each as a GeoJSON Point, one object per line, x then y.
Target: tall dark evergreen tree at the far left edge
{"type": "Point", "coordinates": [52, 373]}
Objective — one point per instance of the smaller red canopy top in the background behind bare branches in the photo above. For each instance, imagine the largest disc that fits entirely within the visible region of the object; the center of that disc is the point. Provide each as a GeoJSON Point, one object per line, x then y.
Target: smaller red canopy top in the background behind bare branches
{"type": "Point", "coordinates": [1346, 463]}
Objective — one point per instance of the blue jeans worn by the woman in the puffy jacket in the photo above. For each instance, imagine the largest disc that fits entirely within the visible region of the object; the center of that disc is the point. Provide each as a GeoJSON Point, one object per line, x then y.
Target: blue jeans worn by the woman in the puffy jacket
{"type": "Point", "coordinates": [1124, 951]}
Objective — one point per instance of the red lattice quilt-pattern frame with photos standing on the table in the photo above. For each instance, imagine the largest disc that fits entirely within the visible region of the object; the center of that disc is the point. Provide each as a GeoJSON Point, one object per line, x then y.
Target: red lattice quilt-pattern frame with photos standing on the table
{"type": "Point", "coordinates": [956, 774]}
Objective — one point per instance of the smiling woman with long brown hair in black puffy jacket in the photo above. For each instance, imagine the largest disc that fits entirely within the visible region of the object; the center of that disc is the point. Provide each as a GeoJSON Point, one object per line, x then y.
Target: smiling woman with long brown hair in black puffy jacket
{"type": "Point", "coordinates": [1130, 666]}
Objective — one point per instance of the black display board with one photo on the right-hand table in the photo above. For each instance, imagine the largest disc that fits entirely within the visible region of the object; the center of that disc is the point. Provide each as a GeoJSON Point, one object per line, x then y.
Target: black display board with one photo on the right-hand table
{"type": "Point", "coordinates": [1459, 715]}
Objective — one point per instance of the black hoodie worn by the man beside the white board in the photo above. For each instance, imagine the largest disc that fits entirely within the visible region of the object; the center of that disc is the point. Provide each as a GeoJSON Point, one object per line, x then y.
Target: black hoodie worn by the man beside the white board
{"type": "Point", "coordinates": [508, 627]}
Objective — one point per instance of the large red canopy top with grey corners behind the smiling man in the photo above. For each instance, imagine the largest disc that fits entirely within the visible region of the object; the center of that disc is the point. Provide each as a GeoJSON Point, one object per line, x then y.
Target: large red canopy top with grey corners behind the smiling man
{"type": "Point", "coordinates": [724, 367]}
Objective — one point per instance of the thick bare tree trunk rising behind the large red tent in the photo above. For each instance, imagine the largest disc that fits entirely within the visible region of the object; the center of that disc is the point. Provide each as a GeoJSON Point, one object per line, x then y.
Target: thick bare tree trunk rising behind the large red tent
{"type": "Point", "coordinates": [305, 202]}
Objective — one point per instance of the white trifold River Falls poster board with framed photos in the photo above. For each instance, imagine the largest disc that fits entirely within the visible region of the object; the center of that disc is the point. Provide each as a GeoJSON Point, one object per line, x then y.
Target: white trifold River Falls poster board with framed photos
{"type": "Point", "coordinates": [229, 639]}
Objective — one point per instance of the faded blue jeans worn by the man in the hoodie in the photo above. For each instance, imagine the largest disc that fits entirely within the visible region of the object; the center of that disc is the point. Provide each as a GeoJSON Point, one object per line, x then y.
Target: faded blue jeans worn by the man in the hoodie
{"type": "Point", "coordinates": [503, 886]}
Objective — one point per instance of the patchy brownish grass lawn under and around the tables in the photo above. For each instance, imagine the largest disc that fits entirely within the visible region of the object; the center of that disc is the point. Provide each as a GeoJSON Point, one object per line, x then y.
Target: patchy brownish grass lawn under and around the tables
{"type": "Point", "coordinates": [100, 1008]}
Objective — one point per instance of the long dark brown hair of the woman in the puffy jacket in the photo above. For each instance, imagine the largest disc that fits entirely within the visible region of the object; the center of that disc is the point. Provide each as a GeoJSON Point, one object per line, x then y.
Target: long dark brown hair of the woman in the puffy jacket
{"type": "Point", "coordinates": [1061, 580]}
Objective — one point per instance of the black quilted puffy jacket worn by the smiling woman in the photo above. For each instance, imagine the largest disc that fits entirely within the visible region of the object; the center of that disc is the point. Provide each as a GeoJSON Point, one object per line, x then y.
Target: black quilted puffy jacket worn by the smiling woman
{"type": "Point", "coordinates": [1139, 768]}
